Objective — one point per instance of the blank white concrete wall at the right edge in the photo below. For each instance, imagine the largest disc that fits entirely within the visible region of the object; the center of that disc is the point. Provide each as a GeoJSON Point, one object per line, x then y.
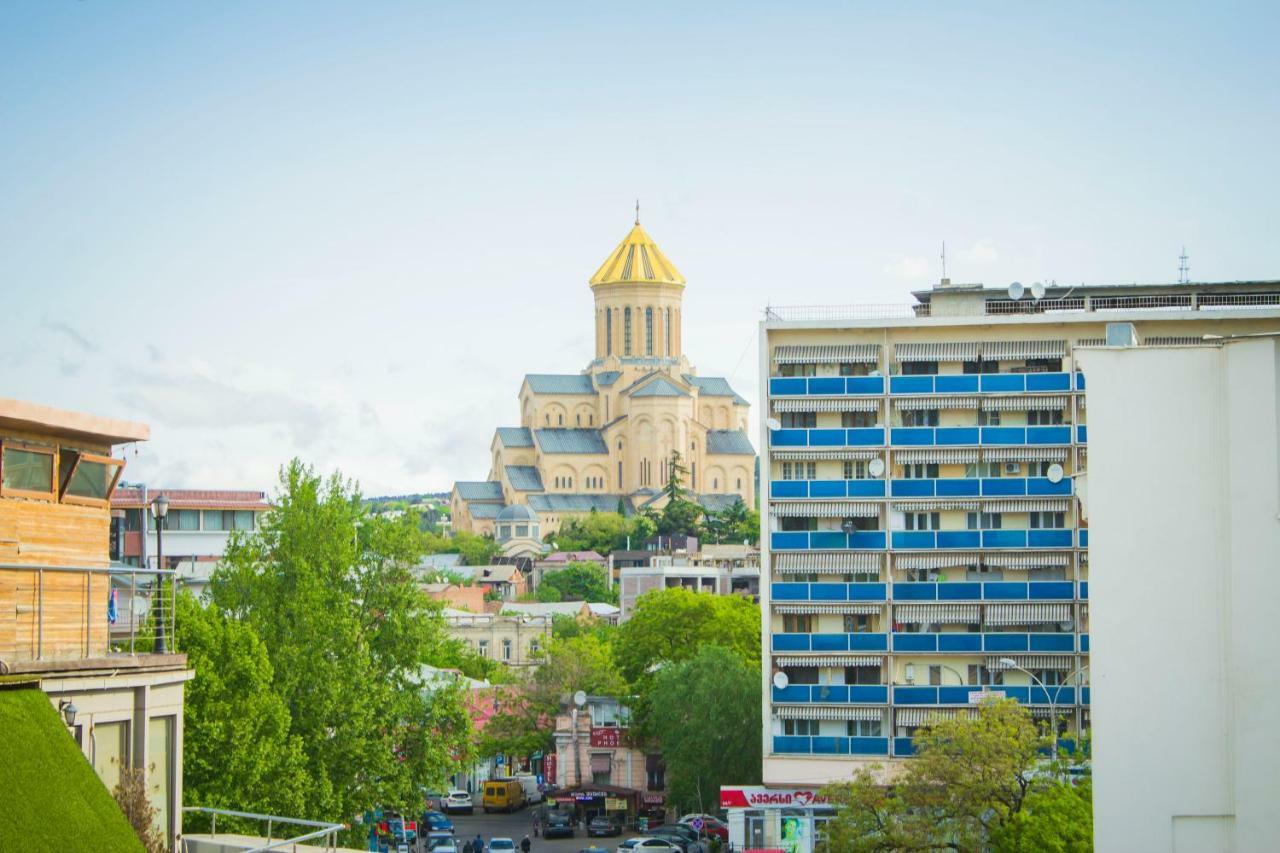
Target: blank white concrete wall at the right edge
{"type": "Point", "coordinates": [1185, 541]}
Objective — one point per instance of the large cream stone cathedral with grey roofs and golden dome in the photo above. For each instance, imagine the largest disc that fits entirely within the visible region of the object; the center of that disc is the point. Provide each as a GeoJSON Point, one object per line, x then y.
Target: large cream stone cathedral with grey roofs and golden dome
{"type": "Point", "coordinates": [602, 440]}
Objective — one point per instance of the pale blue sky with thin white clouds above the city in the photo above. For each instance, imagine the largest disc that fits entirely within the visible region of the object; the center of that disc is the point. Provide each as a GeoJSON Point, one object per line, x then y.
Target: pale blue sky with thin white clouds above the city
{"type": "Point", "coordinates": [345, 231]}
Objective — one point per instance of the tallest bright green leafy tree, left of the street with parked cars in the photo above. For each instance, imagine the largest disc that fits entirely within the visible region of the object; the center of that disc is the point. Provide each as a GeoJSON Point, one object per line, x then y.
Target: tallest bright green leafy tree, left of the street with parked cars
{"type": "Point", "coordinates": [348, 632]}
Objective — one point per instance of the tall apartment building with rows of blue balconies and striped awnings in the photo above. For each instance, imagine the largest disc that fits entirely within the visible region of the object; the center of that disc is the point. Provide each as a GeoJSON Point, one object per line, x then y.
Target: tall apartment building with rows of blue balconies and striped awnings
{"type": "Point", "coordinates": [925, 548]}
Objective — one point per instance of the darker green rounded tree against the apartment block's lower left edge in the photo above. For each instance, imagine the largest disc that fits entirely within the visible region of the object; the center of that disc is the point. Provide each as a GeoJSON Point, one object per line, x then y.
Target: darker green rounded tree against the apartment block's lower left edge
{"type": "Point", "coordinates": [707, 714]}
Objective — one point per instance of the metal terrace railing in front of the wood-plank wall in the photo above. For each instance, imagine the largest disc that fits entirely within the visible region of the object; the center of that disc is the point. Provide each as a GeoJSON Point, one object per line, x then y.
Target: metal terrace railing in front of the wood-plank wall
{"type": "Point", "coordinates": [77, 613]}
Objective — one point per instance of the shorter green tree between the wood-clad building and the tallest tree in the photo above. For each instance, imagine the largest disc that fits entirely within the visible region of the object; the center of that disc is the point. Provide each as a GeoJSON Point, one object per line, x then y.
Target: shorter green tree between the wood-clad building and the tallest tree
{"type": "Point", "coordinates": [239, 751]}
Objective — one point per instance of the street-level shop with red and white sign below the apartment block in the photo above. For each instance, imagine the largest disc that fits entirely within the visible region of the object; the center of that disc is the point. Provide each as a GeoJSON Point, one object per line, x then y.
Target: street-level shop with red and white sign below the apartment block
{"type": "Point", "coordinates": [787, 820]}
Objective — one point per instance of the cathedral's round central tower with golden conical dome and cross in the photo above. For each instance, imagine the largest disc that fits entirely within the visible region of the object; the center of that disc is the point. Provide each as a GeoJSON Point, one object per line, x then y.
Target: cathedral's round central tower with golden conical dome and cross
{"type": "Point", "coordinates": [638, 302]}
